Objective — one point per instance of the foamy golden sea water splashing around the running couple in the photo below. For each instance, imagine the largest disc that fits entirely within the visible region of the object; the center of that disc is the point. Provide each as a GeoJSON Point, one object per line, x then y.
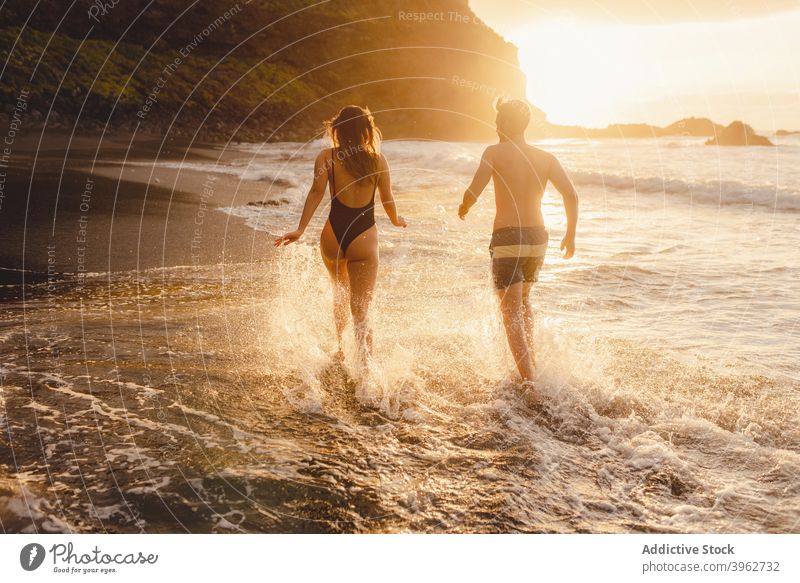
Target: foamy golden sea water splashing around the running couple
{"type": "Point", "coordinates": [205, 398]}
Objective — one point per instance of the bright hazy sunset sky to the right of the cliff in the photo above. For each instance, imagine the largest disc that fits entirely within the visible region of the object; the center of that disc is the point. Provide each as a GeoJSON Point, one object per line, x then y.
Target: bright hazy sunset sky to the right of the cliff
{"type": "Point", "coordinates": [593, 63]}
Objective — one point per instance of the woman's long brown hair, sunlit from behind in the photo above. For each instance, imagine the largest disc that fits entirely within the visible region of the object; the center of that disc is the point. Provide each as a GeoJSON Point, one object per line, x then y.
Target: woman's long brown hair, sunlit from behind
{"type": "Point", "coordinates": [356, 140]}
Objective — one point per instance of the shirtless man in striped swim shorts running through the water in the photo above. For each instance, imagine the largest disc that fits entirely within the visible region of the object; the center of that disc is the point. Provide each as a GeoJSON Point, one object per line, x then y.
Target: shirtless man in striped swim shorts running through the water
{"type": "Point", "coordinates": [519, 241]}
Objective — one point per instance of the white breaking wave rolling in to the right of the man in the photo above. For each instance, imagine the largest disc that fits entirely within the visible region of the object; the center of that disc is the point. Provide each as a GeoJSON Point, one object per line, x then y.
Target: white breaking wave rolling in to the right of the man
{"type": "Point", "coordinates": [717, 192]}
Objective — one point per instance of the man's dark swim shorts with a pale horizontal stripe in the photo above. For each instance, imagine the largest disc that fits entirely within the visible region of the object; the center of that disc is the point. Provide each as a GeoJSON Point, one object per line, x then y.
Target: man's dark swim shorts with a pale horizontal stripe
{"type": "Point", "coordinates": [517, 254]}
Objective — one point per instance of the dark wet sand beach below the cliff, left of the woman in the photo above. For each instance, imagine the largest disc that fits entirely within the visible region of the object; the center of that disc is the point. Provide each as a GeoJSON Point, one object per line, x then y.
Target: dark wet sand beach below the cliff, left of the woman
{"type": "Point", "coordinates": [96, 205]}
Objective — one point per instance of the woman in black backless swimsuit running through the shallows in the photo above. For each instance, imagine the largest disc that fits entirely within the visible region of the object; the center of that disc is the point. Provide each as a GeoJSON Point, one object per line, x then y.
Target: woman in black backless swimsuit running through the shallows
{"type": "Point", "coordinates": [354, 168]}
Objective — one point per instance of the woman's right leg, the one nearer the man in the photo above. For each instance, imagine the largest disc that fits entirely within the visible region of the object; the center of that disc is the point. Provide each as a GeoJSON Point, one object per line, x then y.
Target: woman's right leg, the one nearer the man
{"type": "Point", "coordinates": [362, 270]}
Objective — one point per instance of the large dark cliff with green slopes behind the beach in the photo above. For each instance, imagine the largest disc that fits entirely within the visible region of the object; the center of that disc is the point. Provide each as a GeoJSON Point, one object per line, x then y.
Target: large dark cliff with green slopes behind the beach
{"type": "Point", "coordinates": [260, 70]}
